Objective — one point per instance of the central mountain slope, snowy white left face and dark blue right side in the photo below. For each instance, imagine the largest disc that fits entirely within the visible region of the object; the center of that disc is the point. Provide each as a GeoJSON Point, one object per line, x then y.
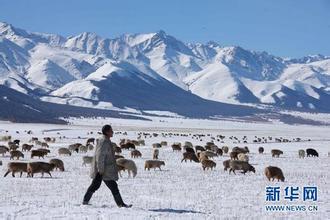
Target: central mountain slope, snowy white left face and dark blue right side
{"type": "Point", "coordinates": [125, 86]}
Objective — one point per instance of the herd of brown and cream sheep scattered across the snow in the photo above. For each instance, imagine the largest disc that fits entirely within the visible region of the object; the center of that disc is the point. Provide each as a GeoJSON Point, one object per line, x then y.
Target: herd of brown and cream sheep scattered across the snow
{"type": "Point", "coordinates": [203, 154]}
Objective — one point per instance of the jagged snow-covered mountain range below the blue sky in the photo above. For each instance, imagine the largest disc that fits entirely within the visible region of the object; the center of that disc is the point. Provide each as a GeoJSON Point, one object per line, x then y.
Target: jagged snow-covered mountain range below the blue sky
{"type": "Point", "coordinates": [156, 71]}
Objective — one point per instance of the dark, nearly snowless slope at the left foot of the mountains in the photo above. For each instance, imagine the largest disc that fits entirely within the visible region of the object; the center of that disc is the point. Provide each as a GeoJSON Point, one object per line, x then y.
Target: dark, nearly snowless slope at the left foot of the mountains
{"type": "Point", "coordinates": [18, 107]}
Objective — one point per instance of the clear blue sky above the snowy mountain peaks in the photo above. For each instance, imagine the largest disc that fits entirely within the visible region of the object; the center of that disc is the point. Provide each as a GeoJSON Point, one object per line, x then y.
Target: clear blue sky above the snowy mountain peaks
{"type": "Point", "coordinates": [289, 28]}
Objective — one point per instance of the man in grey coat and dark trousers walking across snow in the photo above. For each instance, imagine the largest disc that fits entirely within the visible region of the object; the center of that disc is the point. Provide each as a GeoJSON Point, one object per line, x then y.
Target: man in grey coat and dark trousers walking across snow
{"type": "Point", "coordinates": [104, 168]}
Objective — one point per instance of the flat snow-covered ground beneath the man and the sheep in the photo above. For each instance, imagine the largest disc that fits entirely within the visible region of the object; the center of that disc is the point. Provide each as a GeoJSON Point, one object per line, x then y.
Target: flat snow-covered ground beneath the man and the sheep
{"type": "Point", "coordinates": [180, 190]}
